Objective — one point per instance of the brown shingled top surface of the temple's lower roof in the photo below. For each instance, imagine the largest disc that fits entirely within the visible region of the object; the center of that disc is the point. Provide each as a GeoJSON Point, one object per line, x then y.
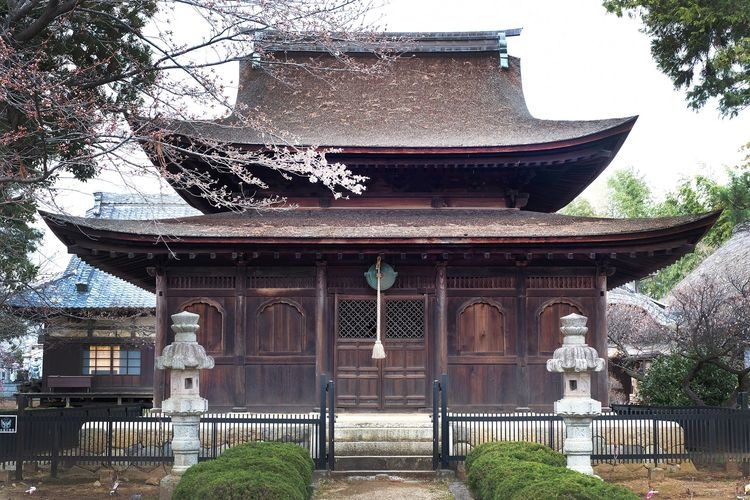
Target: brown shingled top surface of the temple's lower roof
{"type": "Point", "coordinates": [400, 224]}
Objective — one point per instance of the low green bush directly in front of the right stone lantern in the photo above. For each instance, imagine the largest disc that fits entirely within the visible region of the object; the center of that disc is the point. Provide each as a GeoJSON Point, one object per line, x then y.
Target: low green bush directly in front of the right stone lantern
{"type": "Point", "coordinates": [573, 486]}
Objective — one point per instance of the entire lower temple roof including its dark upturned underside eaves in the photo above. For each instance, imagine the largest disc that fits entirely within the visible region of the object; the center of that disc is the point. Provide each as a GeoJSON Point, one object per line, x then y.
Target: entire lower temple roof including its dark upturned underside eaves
{"type": "Point", "coordinates": [626, 249]}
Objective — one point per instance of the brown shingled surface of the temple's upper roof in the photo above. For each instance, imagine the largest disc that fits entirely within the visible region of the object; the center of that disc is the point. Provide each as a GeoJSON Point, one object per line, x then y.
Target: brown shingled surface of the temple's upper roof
{"type": "Point", "coordinates": [443, 99]}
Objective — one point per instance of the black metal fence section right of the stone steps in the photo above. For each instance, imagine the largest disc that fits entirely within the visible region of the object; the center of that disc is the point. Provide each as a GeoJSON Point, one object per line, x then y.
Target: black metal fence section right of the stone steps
{"type": "Point", "coordinates": [628, 434]}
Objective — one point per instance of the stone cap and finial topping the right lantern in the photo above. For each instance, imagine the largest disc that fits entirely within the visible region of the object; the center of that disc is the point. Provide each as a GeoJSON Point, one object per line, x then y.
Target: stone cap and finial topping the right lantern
{"type": "Point", "coordinates": [574, 355]}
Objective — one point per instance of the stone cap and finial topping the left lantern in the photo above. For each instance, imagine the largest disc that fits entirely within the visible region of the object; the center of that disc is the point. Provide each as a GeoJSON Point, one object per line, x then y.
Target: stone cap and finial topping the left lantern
{"type": "Point", "coordinates": [185, 353]}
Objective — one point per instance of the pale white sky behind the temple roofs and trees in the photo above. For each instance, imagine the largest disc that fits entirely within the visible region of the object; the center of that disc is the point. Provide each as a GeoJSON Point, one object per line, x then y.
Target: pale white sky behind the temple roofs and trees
{"type": "Point", "coordinates": [578, 63]}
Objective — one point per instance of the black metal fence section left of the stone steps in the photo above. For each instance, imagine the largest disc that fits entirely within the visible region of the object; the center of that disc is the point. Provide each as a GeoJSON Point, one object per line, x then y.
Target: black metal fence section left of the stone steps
{"type": "Point", "coordinates": [132, 435]}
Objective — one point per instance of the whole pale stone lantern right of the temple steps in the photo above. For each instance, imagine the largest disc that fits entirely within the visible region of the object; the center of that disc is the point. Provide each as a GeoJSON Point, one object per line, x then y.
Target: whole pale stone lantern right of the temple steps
{"type": "Point", "coordinates": [576, 361]}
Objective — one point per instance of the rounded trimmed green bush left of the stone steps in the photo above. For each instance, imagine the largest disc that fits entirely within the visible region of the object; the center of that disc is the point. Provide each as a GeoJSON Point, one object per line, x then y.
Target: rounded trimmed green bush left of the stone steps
{"type": "Point", "coordinates": [267, 471]}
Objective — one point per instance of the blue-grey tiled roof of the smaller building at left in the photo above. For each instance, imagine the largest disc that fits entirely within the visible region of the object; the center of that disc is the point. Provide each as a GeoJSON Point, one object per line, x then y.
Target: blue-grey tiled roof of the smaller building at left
{"type": "Point", "coordinates": [82, 286]}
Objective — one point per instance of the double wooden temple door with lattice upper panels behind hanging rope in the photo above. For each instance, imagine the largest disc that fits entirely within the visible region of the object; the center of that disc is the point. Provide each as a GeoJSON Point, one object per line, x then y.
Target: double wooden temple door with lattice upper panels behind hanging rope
{"type": "Point", "coordinates": [398, 382]}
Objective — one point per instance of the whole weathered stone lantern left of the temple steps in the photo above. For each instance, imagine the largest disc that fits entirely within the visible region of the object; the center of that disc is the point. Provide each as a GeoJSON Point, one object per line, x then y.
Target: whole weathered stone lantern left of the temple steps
{"type": "Point", "coordinates": [184, 357]}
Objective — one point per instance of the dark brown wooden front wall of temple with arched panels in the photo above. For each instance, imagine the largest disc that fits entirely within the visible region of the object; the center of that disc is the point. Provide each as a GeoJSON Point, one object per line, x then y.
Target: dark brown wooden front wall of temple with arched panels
{"type": "Point", "coordinates": [490, 328]}
